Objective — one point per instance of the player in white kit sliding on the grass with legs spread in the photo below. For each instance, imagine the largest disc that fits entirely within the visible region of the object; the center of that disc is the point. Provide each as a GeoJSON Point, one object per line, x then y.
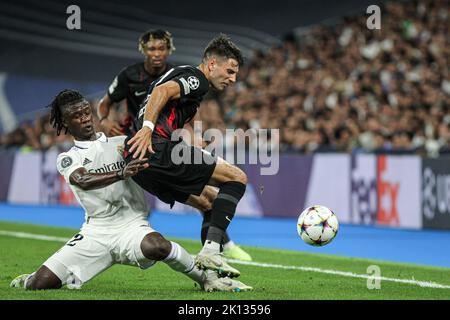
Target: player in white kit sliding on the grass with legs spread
{"type": "Point", "coordinates": [116, 227]}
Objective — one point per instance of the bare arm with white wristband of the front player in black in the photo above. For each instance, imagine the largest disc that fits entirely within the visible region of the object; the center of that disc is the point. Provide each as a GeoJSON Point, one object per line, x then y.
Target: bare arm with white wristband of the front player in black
{"type": "Point", "coordinates": [142, 141]}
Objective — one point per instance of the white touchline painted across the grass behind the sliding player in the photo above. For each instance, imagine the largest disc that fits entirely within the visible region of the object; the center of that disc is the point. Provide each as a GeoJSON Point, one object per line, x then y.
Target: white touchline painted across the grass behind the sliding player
{"type": "Point", "coordinates": [423, 284]}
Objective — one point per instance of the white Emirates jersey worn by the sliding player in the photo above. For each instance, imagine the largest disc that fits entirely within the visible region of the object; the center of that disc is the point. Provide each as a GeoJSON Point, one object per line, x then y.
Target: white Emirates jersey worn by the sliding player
{"type": "Point", "coordinates": [117, 203]}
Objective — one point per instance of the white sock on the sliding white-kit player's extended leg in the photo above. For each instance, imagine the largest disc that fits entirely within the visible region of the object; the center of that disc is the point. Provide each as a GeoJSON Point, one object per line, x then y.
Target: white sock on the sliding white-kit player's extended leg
{"type": "Point", "coordinates": [180, 260]}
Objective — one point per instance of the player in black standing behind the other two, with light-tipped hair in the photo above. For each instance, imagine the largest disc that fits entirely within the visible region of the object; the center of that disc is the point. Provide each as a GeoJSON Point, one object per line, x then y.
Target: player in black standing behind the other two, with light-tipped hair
{"type": "Point", "coordinates": [132, 84]}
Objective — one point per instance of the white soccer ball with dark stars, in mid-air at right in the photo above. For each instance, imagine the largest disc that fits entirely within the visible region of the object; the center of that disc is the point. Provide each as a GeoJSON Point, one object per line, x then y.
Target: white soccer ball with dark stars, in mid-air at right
{"type": "Point", "coordinates": [317, 225]}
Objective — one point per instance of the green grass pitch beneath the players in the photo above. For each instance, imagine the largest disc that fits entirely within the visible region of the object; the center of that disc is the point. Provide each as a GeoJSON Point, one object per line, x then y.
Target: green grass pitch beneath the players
{"type": "Point", "coordinates": [21, 255]}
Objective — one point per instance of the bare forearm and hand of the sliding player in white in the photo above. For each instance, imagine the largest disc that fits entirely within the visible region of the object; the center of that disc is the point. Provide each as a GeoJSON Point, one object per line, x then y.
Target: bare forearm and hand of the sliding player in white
{"type": "Point", "coordinates": [89, 181]}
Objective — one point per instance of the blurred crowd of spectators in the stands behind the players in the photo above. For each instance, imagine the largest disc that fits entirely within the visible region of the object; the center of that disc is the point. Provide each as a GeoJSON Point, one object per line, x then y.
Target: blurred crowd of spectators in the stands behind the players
{"type": "Point", "coordinates": [337, 88]}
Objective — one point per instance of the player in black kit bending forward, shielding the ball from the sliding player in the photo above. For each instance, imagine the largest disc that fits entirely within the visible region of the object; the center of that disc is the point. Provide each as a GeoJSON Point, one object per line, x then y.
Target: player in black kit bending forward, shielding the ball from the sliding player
{"type": "Point", "coordinates": [173, 101]}
